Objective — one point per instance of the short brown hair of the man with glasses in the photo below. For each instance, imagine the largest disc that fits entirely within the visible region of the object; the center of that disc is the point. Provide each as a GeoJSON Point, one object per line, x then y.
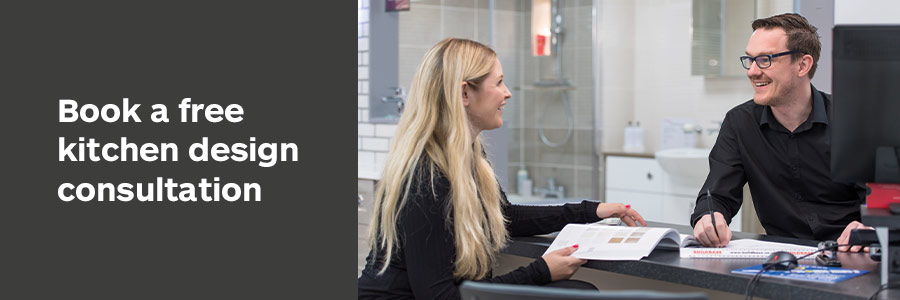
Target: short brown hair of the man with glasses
{"type": "Point", "coordinates": [802, 36]}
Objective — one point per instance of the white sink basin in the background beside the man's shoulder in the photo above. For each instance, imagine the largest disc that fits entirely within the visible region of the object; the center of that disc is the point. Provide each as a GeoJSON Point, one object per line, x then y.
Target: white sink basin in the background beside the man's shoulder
{"type": "Point", "coordinates": [685, 165]}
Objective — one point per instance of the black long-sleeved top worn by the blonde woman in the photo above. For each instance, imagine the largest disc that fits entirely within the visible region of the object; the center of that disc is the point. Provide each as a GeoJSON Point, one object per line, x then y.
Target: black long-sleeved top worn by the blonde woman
{"type": "Point", "coordinates": [422, 266]}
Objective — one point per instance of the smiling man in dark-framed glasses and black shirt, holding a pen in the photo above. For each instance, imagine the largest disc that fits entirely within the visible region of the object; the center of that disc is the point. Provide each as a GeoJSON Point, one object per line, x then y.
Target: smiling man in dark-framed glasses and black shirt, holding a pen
{"type": "Point", "coordinates": [779, 143]}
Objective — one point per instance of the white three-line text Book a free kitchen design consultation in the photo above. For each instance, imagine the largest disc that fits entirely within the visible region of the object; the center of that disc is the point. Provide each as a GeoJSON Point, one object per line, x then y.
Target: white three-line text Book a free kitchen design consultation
{"type": "Point", "coordinates": [123, 150]}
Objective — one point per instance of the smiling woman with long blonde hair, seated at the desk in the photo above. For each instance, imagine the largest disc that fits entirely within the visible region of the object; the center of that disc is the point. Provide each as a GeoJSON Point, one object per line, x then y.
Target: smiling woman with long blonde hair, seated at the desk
{"type": "Point", "coordinates": [440, 216]}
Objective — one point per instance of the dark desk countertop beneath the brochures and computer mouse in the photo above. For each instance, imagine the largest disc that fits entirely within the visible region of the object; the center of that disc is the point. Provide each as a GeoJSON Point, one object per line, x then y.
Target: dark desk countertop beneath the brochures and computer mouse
{"type": "Point", "coordinates": [715, 274]}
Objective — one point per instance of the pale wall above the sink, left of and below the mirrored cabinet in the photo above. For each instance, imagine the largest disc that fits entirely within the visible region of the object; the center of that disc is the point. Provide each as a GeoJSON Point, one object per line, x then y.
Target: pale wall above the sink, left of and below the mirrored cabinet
{"type": "Point", "coordinates": [646, 75]}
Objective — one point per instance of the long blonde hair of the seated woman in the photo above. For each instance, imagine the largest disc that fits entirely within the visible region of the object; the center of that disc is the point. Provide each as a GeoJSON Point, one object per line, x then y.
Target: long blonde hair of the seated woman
{"type": "Point", "coordinates": [434, 123]}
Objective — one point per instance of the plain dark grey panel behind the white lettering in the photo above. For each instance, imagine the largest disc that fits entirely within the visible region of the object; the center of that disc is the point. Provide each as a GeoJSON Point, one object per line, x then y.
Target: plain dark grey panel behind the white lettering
{"type": "Point", "coordinates": [281, 63]}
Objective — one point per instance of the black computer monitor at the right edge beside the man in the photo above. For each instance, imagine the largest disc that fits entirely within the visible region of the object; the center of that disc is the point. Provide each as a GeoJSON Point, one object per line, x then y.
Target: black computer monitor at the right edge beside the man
{"type": "Point", "coordinates": [866, 98]}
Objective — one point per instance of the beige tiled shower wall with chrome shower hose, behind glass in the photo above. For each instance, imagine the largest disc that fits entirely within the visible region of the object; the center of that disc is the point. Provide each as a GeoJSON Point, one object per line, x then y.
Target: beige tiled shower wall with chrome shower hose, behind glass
{"type": "Point", "coordinates": [571, 164]}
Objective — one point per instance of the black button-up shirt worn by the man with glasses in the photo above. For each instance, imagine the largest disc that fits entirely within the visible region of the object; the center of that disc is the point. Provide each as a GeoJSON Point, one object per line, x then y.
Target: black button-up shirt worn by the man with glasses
{"type": "Point", "coordinates": [789, 173]}
